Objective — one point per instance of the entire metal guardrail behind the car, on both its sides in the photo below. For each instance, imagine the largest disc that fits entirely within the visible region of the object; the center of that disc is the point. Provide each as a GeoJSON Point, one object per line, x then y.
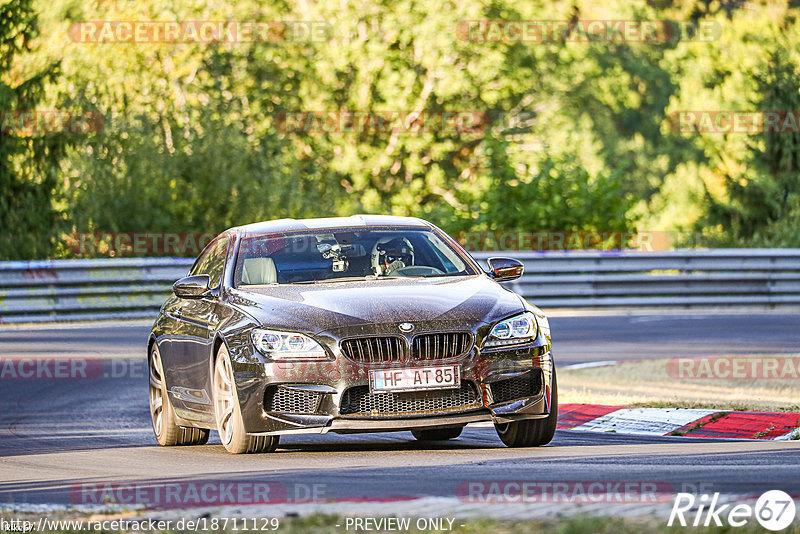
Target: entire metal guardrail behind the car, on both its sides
{"type": "Point", "coordinates": [59, 290]}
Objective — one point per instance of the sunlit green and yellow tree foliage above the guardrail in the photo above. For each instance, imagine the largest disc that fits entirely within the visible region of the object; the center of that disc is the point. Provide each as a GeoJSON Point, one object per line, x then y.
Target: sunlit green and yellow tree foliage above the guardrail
{"type": "Point", "coordinates": [578, 136]}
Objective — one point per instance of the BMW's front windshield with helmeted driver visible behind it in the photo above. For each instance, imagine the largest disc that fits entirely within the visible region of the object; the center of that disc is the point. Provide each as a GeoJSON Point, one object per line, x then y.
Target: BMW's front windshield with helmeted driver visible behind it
{"type": "Point", "coordinates": [317, 256]}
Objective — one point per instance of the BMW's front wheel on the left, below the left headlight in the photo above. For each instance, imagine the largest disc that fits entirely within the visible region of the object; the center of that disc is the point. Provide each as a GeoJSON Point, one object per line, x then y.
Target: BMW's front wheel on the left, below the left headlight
{"type": "Point", "coordinates": [228, 413]}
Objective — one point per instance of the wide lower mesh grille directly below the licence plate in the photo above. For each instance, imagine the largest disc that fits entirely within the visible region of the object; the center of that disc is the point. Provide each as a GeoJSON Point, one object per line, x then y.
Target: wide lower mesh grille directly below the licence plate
{"type": "Point", "coordinates": [359, 401]}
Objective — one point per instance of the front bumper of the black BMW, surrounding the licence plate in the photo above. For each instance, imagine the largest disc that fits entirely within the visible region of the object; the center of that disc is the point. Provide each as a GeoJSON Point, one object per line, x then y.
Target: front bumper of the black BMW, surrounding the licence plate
{"type": "Point", "coordinates": [325, 397]}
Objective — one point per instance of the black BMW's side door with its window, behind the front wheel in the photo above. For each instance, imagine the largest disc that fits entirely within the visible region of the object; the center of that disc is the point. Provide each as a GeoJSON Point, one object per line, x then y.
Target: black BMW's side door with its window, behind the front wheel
{"type": "Point", "coordinates": [198, 319]}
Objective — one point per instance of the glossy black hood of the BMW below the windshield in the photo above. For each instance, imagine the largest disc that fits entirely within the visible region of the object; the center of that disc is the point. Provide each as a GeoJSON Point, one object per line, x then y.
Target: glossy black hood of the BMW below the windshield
{"type": "Point", "coordinates": [463, 302]}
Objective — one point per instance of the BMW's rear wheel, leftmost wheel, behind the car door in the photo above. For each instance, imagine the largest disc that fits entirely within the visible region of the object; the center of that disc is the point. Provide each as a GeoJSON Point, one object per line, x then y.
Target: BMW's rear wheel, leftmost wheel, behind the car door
{"type": "Point", "coordinates": [168, 432]}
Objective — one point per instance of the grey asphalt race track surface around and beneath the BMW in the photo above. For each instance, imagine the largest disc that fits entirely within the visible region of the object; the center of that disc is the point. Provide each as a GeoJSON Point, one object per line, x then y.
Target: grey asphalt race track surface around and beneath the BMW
{"type": "Point", "coordinates": [56, 434]}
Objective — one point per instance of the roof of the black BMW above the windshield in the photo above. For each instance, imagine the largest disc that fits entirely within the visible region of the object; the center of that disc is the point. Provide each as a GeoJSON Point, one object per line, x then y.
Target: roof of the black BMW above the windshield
{"type": "Point", "coordinates": [288, 225]}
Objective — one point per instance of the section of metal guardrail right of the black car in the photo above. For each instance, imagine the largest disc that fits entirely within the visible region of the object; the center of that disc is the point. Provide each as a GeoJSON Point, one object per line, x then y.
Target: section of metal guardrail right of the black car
{"type": "Point", "coordinates": [674, 278]}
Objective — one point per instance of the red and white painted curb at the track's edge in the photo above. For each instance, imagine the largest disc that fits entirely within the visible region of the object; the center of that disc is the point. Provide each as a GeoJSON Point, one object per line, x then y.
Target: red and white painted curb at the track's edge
{"type": "Point", "coordinates": [678, 421]}
